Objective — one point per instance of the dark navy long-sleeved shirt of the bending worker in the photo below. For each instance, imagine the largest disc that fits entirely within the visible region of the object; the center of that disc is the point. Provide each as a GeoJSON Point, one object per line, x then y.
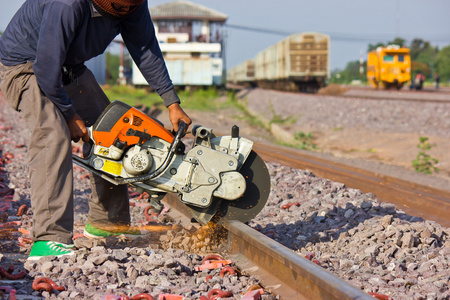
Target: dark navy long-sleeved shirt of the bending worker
{"type": "Point", "coordinates": [53, 33]}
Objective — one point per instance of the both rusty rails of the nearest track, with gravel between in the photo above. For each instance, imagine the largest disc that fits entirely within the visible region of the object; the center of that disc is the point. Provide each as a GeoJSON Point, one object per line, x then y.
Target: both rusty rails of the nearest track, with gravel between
{"type": "Point", "coordinates": [290, 276]}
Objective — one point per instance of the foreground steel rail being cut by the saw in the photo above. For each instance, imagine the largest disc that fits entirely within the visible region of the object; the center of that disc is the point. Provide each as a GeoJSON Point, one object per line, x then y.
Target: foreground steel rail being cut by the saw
{"type": "Point", "coordinates": [280, 270]}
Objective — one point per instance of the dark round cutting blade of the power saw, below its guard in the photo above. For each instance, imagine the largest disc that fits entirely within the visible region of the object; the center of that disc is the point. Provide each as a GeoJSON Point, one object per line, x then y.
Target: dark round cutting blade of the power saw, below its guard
{"type": "Point", "coordinates": [249, 205]}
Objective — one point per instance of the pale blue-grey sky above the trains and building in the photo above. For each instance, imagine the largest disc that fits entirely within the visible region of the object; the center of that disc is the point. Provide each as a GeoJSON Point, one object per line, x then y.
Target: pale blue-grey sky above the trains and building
{"type": "Point", "coordinates": [351, 24]}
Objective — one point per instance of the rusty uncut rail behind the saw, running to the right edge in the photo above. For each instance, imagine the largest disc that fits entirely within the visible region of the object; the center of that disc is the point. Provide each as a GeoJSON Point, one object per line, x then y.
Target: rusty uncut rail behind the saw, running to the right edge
{"type": "Point", "coordinates": [415, 199]}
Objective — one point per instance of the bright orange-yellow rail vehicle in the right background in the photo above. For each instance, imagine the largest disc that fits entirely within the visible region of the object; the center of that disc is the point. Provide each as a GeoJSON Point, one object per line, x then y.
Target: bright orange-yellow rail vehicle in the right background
{"type": "Point", "coordinates": [389, 67]}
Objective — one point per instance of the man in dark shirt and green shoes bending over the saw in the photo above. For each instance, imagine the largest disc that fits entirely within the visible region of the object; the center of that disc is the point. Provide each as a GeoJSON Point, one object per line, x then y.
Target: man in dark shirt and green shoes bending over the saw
{"type": "Point", "coordinates": [43, 76]}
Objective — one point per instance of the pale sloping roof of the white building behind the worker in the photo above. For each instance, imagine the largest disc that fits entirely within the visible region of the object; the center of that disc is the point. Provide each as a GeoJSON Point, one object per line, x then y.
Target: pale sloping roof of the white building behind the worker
{"type": "Point", "coordinates": [182, 9]}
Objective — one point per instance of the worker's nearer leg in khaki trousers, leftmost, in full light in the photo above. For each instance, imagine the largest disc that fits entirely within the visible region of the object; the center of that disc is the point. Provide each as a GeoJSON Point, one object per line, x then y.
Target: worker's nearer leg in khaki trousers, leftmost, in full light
{"type": "Point", "coordinates": [49, 155]}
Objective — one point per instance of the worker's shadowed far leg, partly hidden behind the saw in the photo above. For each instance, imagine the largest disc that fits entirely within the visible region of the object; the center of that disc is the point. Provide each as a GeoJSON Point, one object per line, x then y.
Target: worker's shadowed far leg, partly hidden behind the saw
{"type": "Point", "coordinates": [109, 203]}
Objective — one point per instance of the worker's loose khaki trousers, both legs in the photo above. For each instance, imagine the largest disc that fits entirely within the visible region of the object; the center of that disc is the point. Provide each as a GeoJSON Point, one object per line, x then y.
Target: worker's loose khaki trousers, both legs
{"type": "Point", "coordinates": [50, 155]}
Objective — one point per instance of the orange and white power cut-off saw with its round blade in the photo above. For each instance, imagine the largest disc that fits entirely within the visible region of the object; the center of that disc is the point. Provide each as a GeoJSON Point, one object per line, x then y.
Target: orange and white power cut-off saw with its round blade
{"type": "Point", "coordinates": [220, 178]}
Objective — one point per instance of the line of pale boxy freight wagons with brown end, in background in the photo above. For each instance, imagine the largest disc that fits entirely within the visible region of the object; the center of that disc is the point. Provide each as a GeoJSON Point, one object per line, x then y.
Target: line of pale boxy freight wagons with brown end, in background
{"type": "Point", "coordinates": [300, 62]}
